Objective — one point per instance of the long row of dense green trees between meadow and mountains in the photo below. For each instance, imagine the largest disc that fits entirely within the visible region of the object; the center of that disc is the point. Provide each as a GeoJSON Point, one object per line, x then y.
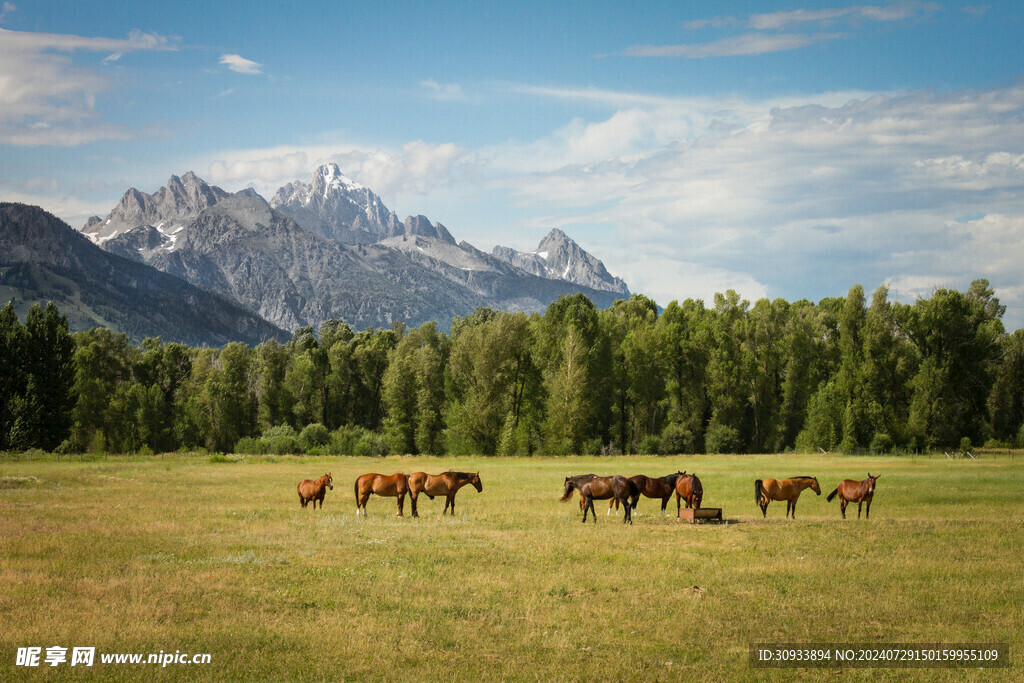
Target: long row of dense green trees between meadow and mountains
{"type": "Point", "coordinates": [842, 374]}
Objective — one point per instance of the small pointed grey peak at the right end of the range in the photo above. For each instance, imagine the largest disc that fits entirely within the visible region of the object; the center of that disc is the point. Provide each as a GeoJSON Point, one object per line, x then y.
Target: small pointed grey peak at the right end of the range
{"type": "Point", "coordinates": [559, 258]}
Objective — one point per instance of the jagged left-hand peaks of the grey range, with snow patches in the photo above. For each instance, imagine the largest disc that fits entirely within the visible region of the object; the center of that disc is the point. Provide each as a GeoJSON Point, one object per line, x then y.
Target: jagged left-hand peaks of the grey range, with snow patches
{"type": "Point", "coordinates": [167, 210]}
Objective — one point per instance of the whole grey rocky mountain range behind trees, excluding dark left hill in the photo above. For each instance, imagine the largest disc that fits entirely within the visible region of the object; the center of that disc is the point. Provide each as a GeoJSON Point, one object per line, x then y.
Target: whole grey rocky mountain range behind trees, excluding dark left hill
{"type": "Point", "coordinates": [331, 249]}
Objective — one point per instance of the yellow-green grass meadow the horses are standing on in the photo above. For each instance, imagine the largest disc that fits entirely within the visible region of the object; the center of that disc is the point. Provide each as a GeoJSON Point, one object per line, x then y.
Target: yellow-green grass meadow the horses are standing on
{"type": "Point", "coordinates": [187, 554]}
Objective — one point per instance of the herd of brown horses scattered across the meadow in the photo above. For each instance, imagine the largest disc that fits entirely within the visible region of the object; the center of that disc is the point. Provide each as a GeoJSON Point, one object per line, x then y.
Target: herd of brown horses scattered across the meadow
{"type": "Point", "coordinates": [617, 490]}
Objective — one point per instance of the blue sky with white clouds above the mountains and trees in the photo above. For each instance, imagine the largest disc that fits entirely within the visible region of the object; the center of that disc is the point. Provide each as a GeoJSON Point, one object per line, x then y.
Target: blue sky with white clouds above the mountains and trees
{"type": "Point", "coordinates": [786, 150]}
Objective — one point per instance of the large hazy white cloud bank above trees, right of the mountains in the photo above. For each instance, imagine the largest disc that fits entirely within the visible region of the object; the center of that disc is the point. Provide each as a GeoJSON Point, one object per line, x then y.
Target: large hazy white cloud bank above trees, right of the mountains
{"type": "Point", "coordinates": [801, 198]}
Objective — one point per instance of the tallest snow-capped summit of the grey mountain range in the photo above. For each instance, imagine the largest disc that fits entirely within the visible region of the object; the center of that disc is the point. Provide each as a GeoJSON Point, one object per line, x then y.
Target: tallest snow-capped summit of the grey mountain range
{"type": "Point", "coordinates": [335, 207]}
